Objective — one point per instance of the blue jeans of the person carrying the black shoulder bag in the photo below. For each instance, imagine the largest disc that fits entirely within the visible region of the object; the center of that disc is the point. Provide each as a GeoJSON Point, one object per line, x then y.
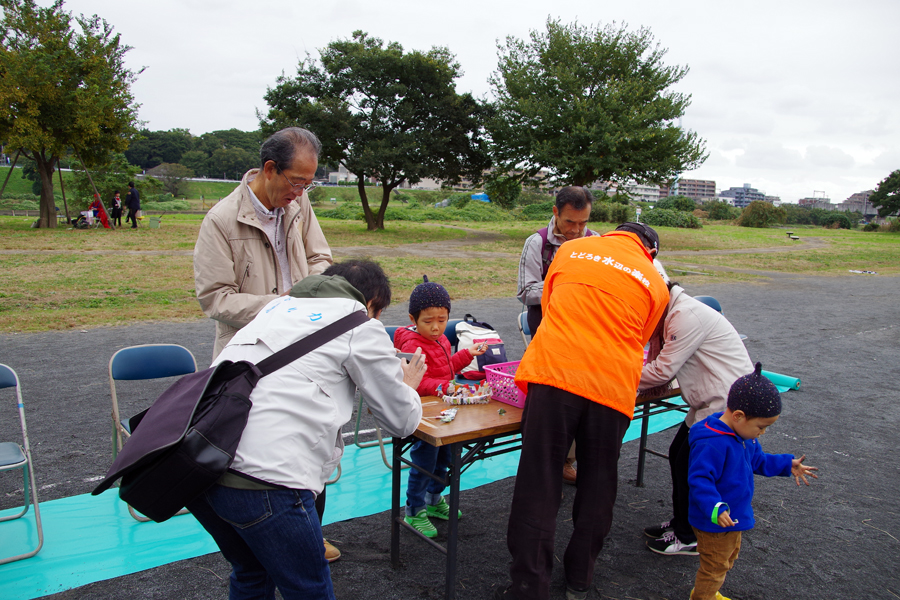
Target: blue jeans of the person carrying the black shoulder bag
{"type": "Point", "coordinates": [272, 539]}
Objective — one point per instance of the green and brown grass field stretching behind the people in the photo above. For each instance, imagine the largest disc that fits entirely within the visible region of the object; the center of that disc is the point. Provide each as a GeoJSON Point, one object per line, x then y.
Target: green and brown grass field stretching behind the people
{"type": "Point", "coordinates": [65, 278]}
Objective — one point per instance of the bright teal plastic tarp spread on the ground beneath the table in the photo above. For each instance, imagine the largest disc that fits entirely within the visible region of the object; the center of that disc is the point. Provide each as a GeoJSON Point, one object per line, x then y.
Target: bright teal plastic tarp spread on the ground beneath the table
{"type": "Point", "coordinates": [88, 538]}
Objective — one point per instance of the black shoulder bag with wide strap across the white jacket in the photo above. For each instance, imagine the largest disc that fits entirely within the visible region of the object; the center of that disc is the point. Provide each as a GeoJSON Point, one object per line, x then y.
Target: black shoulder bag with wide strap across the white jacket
{"type": "Point", "coordinates": [185, 441]}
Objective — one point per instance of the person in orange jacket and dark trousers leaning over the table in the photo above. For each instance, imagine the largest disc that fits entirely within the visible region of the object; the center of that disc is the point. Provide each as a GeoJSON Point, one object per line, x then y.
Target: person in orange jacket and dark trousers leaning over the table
{"type": "Point", "coordinates": [601, 303]}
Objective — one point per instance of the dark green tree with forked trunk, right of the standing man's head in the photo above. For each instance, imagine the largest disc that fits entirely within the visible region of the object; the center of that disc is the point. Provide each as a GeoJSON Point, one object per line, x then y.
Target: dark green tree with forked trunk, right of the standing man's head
{"type": "Point", "coordinates": [386, 114]}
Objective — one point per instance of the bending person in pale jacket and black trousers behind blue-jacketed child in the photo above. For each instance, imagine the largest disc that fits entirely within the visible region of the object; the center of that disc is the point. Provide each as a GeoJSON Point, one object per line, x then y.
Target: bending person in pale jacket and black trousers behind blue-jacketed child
{"type": "Point", "coordinates": [706, 354]}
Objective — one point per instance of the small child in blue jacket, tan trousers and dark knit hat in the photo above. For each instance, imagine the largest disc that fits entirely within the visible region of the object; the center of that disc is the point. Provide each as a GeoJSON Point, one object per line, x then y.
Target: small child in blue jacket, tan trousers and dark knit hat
{"type": "Point", "coordinates": [725, 454]}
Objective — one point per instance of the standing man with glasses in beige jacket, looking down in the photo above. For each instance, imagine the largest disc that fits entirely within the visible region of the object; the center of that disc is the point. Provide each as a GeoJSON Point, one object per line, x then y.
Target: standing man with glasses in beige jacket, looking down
{"type": "Point", "coordinates": [262, 238]}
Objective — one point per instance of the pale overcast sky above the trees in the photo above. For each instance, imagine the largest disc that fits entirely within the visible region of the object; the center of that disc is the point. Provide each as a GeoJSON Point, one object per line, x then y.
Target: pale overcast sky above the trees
{"type": "Point", "coordinates": [796, 97]}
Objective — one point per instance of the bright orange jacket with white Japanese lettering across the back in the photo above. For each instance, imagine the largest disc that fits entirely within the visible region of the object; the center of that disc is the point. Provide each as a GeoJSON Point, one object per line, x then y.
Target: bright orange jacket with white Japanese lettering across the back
{"type": "Point", "coordinates": [601, 303]}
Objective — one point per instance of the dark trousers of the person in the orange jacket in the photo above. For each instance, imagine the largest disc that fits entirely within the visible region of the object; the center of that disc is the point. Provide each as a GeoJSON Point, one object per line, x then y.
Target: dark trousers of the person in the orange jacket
{"type": "Point", "coordinates": [552, 419]}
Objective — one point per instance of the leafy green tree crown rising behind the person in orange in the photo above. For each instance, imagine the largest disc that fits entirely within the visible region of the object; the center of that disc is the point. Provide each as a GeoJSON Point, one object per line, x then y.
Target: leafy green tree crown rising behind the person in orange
{"type": "Point", "coordinates": [588, 104]}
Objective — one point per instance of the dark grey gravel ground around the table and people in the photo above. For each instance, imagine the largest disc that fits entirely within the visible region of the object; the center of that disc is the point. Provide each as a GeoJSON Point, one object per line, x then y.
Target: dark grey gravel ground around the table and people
{"type": "Point", "coordinates": [837, 539]}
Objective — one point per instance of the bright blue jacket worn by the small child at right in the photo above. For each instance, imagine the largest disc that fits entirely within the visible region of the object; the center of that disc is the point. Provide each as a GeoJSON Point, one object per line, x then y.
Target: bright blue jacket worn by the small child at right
{"type": "Point", "coordinates": [721, 472]}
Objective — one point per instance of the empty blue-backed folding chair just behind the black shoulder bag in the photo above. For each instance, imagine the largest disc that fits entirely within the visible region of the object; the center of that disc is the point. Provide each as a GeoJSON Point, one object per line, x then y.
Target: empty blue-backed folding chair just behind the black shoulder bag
{"type": "Point", "coordinates": [150, 361]}
